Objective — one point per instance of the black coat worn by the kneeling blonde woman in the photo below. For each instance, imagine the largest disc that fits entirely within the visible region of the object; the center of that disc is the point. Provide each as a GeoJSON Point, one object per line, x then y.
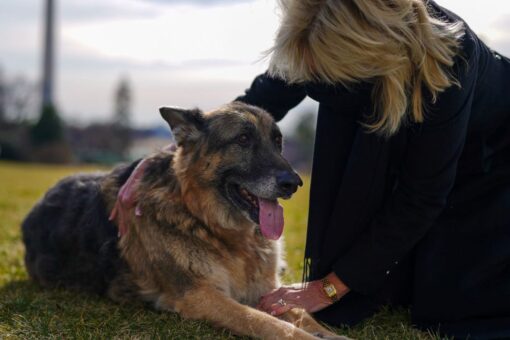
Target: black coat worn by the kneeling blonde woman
{"type": "Point", "coordinates": [424, 216]}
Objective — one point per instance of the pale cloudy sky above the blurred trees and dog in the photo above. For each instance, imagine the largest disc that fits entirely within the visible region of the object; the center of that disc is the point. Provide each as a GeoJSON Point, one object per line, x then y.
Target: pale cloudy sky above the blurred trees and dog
{"type": "Point", "coordinates": [189, 53]}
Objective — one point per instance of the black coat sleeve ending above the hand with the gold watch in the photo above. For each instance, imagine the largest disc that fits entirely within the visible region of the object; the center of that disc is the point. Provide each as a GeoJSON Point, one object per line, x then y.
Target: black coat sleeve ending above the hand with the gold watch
{"type": "Point", "coordinates": [427, 176]}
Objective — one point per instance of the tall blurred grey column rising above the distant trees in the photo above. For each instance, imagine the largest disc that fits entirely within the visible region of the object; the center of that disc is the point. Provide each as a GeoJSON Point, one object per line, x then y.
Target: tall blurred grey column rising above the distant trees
{"type": "Point", "coordinates": [48, 57]}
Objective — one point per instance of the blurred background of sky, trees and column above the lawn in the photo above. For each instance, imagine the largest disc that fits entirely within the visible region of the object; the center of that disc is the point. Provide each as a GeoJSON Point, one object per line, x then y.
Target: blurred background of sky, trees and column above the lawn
{"type": "Point", "coordinates": [81, 80]}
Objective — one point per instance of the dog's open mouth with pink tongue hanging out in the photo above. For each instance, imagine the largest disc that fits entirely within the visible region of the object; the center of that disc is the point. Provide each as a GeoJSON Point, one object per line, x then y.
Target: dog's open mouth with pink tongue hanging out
{"type": "Point", "coordinates": [267, 213]}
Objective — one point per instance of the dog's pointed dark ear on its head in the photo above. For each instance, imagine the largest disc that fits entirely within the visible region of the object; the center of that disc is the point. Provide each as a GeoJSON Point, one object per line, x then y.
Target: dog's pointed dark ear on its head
{"type": "Point", "coordinates": [187, 125]}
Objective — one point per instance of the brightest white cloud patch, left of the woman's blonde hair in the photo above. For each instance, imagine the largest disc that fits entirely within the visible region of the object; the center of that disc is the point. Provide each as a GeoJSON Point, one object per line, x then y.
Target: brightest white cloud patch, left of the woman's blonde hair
{"type": "Point", "coordinates": [183, 33]}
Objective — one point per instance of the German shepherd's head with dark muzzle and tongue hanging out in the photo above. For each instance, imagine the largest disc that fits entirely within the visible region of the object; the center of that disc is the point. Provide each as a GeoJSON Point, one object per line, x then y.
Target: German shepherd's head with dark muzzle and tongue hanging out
{"type": "Point", "coordinates": [233, 157]}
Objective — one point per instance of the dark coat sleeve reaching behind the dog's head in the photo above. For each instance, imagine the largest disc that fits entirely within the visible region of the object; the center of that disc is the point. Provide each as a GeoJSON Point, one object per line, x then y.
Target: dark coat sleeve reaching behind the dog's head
{"type": "Point", "coordinates": [273, 95]}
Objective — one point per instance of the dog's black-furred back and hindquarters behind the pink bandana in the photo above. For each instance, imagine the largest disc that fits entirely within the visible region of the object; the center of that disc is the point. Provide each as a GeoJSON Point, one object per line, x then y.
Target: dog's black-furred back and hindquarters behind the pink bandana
{"type": "Point", "coordinates": [68, 238]}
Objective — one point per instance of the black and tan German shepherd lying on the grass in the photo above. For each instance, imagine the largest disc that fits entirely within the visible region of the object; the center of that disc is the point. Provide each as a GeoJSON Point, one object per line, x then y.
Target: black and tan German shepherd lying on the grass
{"type": "Point", "coordinates": [205, 243]}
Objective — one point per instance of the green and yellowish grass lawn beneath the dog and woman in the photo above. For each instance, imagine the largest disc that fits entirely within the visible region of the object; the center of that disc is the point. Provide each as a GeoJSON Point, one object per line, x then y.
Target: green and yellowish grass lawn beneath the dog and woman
{"type": "Point", "coordinates": [27, 311]}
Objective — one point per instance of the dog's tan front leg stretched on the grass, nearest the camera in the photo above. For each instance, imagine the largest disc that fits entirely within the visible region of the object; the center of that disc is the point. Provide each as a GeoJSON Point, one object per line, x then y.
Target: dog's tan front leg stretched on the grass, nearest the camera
{"type": "Point", "coordinates": [209, 304]}
